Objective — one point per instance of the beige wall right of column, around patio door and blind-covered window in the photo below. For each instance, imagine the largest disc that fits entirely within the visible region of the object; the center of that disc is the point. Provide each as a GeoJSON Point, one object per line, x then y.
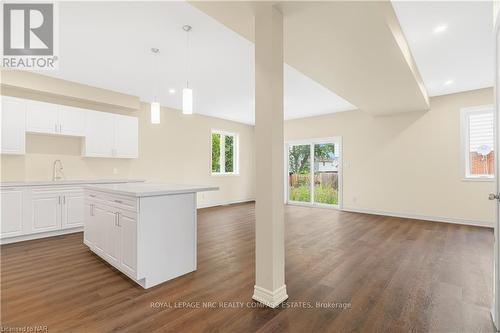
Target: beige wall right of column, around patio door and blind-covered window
{"type": "Point", "coordinates": [406, 164]}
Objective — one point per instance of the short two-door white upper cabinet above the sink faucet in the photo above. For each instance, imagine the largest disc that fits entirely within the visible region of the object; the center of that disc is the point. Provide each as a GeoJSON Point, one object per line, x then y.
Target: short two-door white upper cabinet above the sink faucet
{"type": "Point", "coordinates": [54, 119]}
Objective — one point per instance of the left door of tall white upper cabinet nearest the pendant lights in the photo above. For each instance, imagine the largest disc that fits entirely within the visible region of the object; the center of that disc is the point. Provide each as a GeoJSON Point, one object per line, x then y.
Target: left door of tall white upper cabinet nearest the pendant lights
{"type": "Point", "coordinates": [99, 134]}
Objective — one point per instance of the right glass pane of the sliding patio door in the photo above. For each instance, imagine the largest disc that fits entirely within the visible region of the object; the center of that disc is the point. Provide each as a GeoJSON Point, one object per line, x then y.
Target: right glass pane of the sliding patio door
{"type": "Point", "coordinates": [326, 176]}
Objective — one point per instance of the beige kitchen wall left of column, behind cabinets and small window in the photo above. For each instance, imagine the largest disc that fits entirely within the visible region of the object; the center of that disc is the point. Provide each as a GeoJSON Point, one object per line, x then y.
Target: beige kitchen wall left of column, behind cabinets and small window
{"type": "Point", "coordinates": [177, 150]}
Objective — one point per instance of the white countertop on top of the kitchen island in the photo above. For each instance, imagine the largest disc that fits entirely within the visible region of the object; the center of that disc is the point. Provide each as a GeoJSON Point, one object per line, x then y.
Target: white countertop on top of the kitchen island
{"type": "Point", "coordinates": [150, 189]}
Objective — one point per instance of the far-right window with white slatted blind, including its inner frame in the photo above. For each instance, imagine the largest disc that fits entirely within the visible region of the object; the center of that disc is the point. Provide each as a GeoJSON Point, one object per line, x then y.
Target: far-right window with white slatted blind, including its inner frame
{"type": "Point", "coordinates": [478, 142]}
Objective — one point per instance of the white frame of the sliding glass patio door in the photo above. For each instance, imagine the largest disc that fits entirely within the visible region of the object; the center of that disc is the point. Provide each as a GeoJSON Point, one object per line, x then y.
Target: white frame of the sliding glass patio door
{"type": "Point", "coordinates": [337, 140]}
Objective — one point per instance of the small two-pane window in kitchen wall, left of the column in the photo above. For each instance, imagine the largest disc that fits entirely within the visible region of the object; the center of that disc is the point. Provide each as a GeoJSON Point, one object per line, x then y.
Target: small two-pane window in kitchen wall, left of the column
{"type": "Point", "coordinates": [224, 153]}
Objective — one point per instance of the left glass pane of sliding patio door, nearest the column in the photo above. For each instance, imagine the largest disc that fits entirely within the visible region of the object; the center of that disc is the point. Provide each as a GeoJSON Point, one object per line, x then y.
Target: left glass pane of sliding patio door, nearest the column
{"type": "Point", "coordinates": [299, 176]}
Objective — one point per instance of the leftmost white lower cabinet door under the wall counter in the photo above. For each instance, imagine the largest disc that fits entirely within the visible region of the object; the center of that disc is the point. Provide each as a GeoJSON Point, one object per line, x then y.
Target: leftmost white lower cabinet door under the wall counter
{"type": "Point", "coordinates": [12, 201]}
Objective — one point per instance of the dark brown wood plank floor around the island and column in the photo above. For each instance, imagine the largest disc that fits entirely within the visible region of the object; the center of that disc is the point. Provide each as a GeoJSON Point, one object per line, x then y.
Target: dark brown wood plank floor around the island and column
{"type": "Point", "coordinates": [353, 272]}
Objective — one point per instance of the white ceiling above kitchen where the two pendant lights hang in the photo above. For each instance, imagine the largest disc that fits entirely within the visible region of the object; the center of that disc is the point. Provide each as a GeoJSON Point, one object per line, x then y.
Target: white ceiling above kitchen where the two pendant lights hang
{"type": "Point", "coordinates": [107, 44]}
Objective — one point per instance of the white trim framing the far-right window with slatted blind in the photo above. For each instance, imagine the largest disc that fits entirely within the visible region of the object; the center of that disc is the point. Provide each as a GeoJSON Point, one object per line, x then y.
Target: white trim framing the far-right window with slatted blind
{"type": "Point", "coordinates": [464, 140]}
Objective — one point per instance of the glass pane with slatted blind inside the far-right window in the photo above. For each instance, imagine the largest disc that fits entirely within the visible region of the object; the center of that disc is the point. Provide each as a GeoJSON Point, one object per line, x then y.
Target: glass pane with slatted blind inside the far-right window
{"type": "Point", "coordinates": [481, 138]}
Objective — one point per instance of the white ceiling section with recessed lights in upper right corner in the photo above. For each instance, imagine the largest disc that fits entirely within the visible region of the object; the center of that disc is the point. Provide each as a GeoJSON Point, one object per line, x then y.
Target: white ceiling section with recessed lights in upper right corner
{"type": "Point", "coordinates": [462, 54]}
